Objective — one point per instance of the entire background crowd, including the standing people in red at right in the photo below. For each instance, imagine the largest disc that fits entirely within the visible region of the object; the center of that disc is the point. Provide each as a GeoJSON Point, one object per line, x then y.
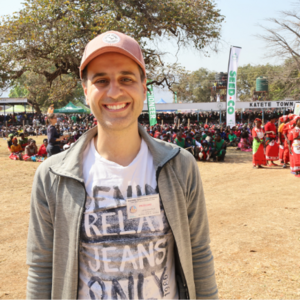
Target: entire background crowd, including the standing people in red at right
{"type": "Point", "coordinates": [277, 140]}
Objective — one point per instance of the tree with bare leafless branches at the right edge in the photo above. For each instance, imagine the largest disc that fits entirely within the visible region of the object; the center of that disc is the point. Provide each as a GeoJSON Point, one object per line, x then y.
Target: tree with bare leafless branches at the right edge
{"type": "Point", "coordinates": [283, 42]}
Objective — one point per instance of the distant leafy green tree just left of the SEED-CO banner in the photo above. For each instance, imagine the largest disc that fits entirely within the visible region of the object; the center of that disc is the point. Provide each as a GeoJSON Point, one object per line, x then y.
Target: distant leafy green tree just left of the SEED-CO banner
{"type": "Point", "coordinates": [195, 86]}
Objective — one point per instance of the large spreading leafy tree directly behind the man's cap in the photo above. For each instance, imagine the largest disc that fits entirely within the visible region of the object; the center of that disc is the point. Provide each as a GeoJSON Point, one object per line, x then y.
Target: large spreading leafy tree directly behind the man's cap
{"type": "Point", "coordinates": [47, 37]}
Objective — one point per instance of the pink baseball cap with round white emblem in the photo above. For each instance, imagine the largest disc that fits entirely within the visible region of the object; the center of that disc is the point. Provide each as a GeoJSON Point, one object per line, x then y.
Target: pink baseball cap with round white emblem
{"type": "Point", "coordinates": [112, 41]}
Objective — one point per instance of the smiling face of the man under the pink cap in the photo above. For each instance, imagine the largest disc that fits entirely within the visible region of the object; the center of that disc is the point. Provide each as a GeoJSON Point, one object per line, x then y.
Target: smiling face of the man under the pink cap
{"type": "Point", "coordinates": [114, 91]}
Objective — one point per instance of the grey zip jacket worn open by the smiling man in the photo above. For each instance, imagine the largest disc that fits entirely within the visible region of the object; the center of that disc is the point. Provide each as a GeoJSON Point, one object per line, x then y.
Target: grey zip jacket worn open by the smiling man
{"type": "Point", "coordinates": [57, 205]}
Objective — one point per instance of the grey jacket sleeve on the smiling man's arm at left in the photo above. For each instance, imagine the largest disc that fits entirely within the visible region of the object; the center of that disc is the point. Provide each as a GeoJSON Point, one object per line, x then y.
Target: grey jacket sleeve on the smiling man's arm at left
{"type": "Point", "coordinates": [39, 243]}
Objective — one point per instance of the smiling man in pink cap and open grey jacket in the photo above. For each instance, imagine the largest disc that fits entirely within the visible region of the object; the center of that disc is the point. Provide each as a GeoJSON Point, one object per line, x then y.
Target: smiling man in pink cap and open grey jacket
{"type": "Point", "coordinates": [120, 214]}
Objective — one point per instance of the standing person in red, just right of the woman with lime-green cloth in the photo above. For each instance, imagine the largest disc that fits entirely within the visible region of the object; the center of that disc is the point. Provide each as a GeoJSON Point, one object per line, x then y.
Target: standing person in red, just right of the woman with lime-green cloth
{"type": "Point", "coordinates": [272, 147]}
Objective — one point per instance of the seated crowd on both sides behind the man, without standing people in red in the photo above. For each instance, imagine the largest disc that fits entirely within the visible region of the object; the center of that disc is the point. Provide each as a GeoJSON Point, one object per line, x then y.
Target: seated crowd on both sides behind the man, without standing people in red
{"type": "Point", "coordinates": [207, 142]}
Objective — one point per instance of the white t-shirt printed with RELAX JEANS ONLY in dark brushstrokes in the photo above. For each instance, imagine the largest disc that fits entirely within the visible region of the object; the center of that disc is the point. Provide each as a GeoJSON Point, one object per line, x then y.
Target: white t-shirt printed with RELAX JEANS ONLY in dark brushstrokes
{"type": "Point", "coordinates": [123, 258]}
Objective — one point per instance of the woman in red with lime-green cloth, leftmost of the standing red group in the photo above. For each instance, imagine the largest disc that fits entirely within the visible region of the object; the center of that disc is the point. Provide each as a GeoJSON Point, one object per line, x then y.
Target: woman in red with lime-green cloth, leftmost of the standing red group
{"type": "Point", "coordinates": [259, 157]}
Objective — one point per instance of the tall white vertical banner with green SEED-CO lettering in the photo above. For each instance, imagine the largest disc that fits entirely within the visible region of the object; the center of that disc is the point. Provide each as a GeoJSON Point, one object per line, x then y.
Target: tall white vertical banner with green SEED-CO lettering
{"type": "Point", "coordinates": [231, 85]}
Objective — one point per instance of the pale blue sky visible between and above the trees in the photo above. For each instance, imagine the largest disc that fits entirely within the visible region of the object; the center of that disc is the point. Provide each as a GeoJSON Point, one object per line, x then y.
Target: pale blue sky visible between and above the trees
{"type": "Point", "coordinates": [240, 28]}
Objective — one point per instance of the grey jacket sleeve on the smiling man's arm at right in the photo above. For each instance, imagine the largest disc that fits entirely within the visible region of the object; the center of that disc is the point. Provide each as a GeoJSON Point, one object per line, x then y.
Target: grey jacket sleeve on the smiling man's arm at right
{"type": "Point", "coordinates": [203, 262]}
